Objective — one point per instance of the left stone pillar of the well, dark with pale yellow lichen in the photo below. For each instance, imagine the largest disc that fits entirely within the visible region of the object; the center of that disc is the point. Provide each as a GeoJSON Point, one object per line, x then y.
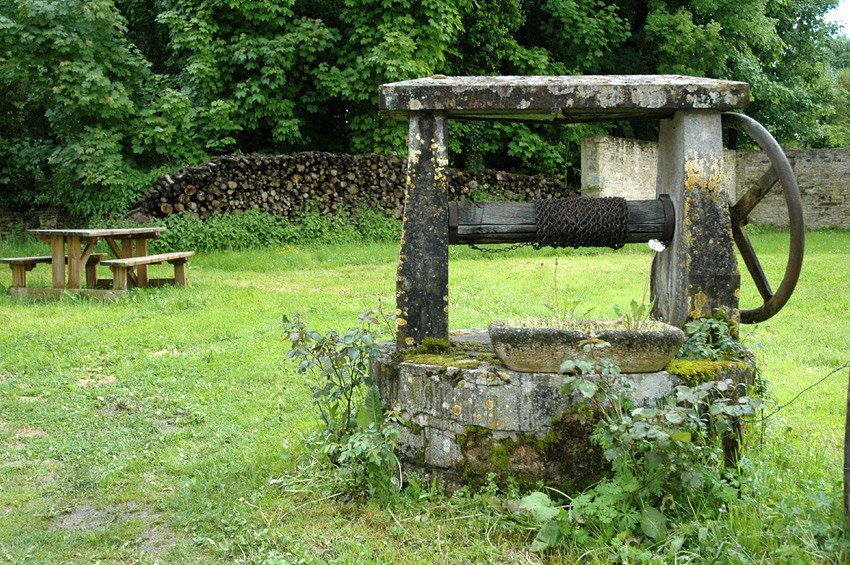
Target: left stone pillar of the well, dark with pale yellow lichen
{"type": "Point", "coordinates": [422, 285]}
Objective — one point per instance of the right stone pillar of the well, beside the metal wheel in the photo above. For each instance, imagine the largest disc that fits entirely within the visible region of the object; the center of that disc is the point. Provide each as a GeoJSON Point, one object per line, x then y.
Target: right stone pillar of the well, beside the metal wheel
{"type": "Point", "coordinates": [698, 273]}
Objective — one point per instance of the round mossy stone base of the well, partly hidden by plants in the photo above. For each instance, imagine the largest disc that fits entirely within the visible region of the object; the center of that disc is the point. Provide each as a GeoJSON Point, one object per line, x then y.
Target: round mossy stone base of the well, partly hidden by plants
{"type": "Point", "coordinates": [469, 416]}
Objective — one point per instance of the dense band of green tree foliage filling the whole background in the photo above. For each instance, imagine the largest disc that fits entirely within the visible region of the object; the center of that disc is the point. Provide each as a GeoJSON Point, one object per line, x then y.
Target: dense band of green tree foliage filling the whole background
{"type": "Point", "coordinates": [102, 96]}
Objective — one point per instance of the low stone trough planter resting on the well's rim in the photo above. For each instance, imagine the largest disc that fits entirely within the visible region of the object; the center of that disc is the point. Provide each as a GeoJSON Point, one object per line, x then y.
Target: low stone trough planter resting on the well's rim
{"type": "Point", "coordinates": [542, 349]}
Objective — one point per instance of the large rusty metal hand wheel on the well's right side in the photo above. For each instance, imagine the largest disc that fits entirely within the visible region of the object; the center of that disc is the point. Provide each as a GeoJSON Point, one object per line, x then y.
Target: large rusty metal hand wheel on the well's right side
{"type": "Point", "coordinates": [780, 171]}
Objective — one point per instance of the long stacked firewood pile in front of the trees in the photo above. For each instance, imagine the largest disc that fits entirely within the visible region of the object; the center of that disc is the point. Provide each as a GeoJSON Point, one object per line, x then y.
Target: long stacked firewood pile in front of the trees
{"type": "Point", "coordinates": [286, 185]}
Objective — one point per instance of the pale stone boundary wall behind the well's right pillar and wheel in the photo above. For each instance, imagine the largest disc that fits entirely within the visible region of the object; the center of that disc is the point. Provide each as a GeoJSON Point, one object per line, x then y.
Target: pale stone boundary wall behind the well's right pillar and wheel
{"type": "Point", "coordinates": [622, 167]}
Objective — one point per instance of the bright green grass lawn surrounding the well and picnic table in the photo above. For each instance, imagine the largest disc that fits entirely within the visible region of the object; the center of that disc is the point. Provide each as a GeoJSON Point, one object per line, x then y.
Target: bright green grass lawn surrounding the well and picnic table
{"type": "Point", "coordinates": [154, 428]}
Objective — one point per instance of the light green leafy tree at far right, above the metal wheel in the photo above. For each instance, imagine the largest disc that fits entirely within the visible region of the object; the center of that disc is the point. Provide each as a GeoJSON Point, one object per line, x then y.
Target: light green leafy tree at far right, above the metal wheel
{"type": "Point", "coordinates": [777, 47]}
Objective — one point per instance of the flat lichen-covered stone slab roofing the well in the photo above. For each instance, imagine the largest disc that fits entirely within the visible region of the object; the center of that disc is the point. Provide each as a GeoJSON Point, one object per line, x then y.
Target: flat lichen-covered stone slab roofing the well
{"type": "Point", "coordinates": [561, 98]}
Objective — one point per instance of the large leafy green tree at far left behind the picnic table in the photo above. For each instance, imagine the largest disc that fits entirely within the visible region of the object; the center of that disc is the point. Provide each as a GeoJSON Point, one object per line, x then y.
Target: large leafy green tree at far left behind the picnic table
{"type": "Point", "coordinates": [84, 118]}
